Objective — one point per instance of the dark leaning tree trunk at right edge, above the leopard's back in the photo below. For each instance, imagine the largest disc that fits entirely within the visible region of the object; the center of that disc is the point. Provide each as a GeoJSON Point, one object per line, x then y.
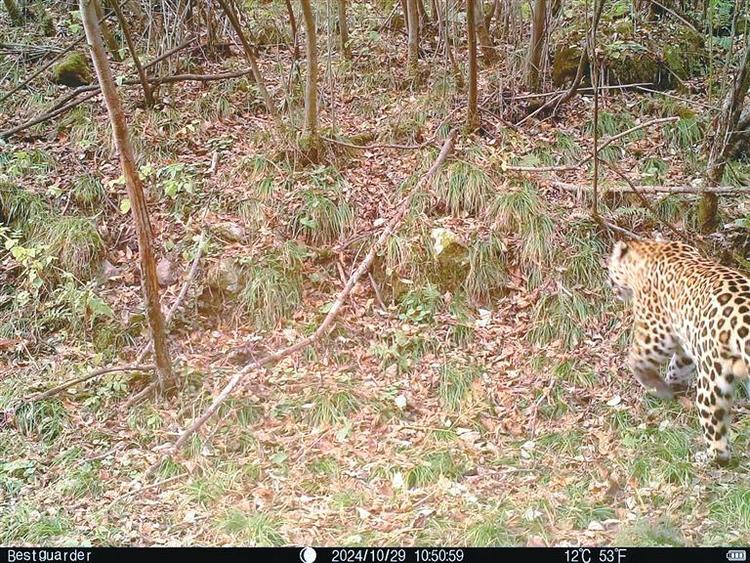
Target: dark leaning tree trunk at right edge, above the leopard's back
{"type": "Point", "coordinates": [725, 128]}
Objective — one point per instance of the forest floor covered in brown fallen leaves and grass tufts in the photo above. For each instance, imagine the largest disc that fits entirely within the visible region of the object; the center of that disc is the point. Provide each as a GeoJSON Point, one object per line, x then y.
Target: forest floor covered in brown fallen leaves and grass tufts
{"type": "Point", "coordinates": [487, 414]}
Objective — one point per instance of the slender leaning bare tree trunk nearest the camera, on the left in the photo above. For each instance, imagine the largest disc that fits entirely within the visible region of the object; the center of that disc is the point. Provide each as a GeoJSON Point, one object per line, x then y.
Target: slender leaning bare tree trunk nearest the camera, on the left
{"type": "Point", "coordinates": [134, 187]}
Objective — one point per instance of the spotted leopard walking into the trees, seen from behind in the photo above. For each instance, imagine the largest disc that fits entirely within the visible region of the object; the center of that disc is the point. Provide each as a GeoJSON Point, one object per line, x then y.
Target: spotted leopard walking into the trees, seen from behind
{"type": "Point", "coordinates": [694, 313]}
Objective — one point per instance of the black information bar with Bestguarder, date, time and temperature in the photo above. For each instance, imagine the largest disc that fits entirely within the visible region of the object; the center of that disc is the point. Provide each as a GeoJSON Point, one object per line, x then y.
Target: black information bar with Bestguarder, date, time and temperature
{"type": "Point", "coordinates": [374, 555]}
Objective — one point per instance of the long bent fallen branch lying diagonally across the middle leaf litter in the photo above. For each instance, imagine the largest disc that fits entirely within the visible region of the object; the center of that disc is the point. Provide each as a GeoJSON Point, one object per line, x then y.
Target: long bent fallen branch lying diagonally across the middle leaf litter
{"type": "Point", "coordinates": [333, 312]}
